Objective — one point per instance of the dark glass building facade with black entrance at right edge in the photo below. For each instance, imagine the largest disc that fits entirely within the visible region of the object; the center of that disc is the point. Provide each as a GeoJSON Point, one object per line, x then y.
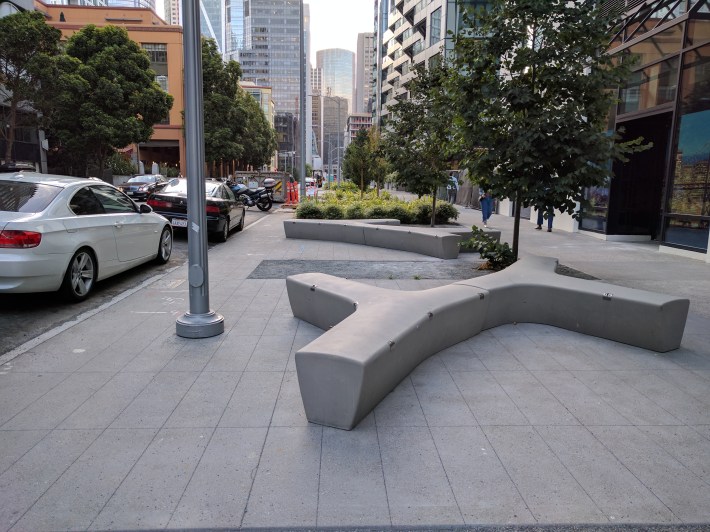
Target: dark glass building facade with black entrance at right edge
{"type": "Point", "coordinates": [664, 192]}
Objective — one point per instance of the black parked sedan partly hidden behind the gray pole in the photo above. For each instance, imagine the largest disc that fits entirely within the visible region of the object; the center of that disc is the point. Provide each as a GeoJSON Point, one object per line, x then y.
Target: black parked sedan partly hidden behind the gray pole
{"type": "Point", "coordinates": [224, 211]}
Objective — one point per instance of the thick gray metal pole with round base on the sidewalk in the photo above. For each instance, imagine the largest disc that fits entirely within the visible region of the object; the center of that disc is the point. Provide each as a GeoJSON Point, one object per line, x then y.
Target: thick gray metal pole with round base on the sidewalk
{"type": "Point", "coordinates": [199, 321]}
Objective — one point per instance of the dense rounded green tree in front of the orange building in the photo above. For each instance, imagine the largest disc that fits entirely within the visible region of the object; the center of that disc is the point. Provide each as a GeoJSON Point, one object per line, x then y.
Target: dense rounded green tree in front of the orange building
{"type": "Point", "coordinates": [111, 99]}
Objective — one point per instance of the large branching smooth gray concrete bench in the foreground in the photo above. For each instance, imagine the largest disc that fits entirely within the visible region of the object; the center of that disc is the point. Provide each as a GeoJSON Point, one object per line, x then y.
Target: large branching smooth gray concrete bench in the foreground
{"type": "Point", "coordinates": [375, 337]}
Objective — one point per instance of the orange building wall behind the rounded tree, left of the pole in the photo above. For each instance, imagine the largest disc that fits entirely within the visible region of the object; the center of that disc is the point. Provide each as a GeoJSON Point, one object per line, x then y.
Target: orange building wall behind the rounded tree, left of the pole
{"type": "Point", "coordinates": [144, 27]}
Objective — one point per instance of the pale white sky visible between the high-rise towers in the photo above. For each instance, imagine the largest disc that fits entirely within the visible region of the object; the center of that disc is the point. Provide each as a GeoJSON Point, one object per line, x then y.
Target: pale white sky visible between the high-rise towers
{"type": "Point", "coordinates": [334, 23]}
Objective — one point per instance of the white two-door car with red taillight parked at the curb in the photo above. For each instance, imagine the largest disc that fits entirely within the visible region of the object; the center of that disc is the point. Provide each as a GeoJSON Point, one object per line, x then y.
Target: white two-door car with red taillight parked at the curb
{"type": "Point", "coordinates": [67, 233]}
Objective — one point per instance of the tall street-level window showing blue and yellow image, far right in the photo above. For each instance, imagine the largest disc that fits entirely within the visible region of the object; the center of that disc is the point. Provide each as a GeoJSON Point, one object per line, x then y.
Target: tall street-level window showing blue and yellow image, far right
{"type": "Point", "coordinates": [689, 206]}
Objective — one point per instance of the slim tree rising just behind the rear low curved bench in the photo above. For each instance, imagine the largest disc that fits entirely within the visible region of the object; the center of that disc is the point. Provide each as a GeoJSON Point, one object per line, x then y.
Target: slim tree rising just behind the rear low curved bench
{"type": "Point", "coordinates": [417, 140]}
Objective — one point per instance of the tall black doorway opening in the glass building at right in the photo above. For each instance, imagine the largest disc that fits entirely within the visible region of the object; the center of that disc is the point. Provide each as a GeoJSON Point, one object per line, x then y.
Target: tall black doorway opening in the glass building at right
{"type": "Point", "coordinates": [636, 192]}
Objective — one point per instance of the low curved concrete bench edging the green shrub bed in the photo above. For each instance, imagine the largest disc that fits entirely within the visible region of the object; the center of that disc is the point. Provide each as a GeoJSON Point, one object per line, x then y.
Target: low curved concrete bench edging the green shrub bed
{"type": "Point", "coordinates": [435, 242]}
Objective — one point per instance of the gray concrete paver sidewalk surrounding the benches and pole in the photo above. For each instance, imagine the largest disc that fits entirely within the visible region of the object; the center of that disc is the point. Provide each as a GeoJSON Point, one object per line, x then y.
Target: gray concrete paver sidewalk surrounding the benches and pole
{"type": "Point", "coordinates": [117, 423]}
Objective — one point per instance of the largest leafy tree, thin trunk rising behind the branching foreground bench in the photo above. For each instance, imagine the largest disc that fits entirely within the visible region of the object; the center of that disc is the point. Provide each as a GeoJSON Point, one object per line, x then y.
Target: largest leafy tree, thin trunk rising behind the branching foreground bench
{"type": "Point", "coordinates": [531, 90]}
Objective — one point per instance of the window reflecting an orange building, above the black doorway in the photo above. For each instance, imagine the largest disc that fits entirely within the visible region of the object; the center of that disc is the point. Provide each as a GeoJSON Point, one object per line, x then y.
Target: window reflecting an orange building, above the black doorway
{"type": "Point", "coordinates": [649, 87]}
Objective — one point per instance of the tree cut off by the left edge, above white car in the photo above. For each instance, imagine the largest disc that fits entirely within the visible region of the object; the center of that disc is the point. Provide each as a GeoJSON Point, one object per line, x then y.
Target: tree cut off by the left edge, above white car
{"type": "Point", "coordinates": [28, 49]}
